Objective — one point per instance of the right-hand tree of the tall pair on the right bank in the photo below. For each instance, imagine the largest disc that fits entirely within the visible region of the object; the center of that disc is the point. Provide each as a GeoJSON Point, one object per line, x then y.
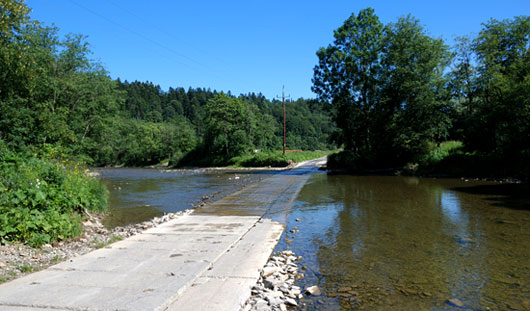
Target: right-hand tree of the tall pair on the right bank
{"type": "Point", "coordinates": [414, 95]}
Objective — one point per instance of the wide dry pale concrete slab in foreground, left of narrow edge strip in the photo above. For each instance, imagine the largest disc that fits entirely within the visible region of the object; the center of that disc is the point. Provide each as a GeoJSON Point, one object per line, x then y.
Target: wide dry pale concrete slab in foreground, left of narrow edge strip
{"type": "Point", "coordinates": [140, 273]}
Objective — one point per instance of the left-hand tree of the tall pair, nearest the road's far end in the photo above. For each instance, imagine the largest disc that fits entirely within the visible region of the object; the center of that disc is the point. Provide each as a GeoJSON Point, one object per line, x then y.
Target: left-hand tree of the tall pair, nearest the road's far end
{"type": "Point", "coordinates": [347, 77]}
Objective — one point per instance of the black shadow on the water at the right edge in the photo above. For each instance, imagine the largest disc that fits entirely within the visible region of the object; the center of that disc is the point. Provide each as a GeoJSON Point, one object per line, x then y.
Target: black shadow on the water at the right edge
{"type": "Point", "coordinates": [514, 196]}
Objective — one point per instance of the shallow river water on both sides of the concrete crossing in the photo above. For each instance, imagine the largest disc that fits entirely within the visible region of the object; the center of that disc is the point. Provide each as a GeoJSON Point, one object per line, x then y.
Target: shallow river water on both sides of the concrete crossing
{"type": "Point", "coordinates": [371, 242]}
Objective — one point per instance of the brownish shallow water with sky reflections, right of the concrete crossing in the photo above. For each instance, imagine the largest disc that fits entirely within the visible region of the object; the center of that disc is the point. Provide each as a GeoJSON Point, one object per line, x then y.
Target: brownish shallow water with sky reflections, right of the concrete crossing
{"type": "Point", "coordinates": [386, 243]}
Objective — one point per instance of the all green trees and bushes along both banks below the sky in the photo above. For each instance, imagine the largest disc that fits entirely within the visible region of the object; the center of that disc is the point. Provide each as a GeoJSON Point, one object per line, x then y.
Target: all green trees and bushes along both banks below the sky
{"type": "Point", "coordinates": [390, 96]}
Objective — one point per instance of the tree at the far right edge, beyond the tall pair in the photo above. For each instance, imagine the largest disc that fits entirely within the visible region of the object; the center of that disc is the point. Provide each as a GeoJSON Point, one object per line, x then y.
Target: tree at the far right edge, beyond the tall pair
{"type": "Point", "coordinates": [500, 124]}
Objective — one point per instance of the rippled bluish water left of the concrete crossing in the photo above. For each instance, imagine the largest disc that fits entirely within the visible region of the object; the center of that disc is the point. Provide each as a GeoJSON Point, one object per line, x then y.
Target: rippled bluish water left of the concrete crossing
{"type": "Point", "coordinates": [138, 194]}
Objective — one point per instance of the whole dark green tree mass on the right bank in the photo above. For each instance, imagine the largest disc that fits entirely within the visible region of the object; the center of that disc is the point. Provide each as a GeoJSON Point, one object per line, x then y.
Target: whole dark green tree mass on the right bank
{"type": "Point", "coordinates": [396, 93]}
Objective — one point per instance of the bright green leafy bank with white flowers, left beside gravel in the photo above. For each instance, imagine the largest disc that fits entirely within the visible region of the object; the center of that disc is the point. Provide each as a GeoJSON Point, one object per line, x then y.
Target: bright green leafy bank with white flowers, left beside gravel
{"type": "Point", "coordinates": [43, 197]}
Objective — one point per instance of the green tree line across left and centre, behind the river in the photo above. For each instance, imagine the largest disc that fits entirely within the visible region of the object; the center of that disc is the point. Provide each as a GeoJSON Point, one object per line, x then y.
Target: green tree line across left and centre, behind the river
{"type": "Point", "coordinates": [53, 94]}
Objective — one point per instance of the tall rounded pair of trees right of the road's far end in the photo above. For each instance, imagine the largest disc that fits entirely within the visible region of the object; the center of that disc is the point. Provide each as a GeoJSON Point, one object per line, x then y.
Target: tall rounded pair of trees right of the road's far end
{"type": "Point", "coordinates": [386, 87]}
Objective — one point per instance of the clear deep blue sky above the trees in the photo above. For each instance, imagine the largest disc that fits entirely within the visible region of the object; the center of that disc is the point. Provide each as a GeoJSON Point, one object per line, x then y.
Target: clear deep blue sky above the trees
{"type": "Point", "coordinates": [241, 45]}
